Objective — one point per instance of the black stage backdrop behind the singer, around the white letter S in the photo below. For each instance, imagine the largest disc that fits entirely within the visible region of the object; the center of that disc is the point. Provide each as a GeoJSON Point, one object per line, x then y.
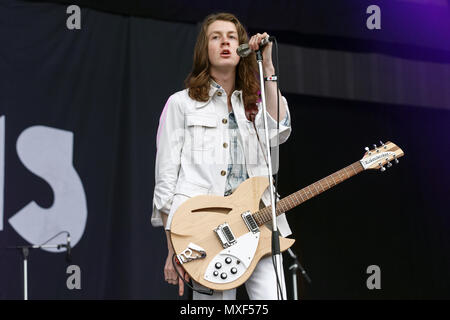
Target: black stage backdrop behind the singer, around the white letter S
{"type": "Point", "coordinates": [107, 84]}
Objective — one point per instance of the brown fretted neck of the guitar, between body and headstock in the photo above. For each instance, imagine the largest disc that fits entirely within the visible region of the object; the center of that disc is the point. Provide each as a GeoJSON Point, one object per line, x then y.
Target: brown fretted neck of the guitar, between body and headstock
{"type": "Point", "coordinates": [265, 215]}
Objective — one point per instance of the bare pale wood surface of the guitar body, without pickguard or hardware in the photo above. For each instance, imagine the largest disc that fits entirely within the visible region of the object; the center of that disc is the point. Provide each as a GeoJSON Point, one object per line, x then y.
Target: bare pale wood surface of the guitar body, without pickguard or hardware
{"type": "Point", "coordinates": [196, 219]}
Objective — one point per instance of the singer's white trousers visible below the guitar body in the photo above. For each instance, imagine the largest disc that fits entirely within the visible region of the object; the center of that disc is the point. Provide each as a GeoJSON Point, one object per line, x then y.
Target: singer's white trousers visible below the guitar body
{"type": "Point", "coordinates": [262, 285]}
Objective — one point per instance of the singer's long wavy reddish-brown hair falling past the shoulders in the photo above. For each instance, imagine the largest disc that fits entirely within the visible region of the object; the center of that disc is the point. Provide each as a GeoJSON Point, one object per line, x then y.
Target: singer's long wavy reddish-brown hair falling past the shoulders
{"type": "Point", "coordinates": [198, 80]}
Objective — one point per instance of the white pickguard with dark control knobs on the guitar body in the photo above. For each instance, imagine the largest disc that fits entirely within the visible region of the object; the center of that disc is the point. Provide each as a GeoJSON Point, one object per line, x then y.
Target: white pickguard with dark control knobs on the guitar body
{"type": "Point", "coordinates": [241, 255]}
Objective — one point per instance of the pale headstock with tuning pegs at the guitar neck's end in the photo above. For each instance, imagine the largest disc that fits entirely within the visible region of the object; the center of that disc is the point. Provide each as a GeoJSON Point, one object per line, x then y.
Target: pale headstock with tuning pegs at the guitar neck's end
{"type": "Point", "coordinates": [380, 156]}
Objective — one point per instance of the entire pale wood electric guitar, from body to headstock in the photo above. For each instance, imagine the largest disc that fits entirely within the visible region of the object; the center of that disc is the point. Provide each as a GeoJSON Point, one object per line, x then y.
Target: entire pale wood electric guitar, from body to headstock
{"type": "Point", "coordinates": [219, 240]}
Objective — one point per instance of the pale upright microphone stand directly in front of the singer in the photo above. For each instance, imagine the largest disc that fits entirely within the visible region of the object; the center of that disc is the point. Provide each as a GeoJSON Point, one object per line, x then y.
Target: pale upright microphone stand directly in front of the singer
{"type": "Point", "coordinates": [275, 234]}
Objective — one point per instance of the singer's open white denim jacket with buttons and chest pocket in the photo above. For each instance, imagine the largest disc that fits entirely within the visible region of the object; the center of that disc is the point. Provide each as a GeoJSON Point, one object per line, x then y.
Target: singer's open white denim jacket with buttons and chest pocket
{"type": "Point", "coordinates": [192, 155]}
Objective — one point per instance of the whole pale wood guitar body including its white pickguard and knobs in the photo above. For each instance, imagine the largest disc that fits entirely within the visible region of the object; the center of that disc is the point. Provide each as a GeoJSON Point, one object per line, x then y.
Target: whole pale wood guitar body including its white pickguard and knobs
{"type": "Point", "coordinates": [207, 259]}
